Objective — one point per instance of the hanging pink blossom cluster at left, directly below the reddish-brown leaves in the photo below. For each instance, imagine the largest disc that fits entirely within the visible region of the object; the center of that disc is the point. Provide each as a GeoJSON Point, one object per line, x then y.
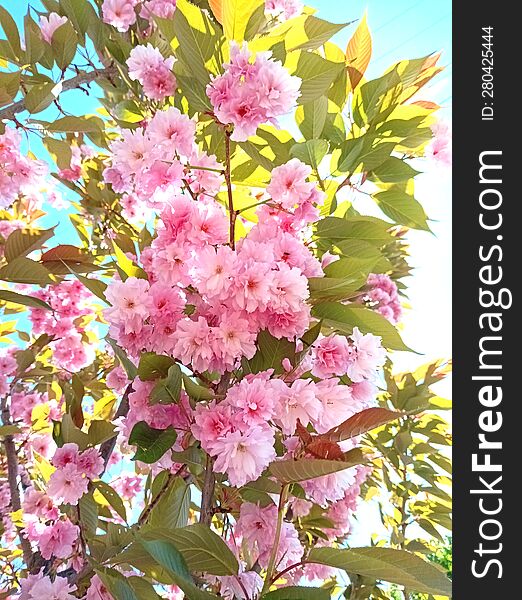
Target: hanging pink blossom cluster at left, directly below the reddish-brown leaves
{"type": "Point", "coordinates": [67, 323]}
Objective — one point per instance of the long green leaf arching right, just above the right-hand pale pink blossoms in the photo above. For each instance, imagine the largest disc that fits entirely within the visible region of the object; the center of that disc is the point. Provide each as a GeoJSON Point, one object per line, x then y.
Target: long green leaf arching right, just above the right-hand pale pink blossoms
{"type": "Point", "coordinates": [344, 318]}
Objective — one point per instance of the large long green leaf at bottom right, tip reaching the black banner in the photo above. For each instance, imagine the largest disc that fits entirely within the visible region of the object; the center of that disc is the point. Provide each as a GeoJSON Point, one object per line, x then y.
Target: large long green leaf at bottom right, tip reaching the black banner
{"type": "Point", "coordinates": [388, 564]}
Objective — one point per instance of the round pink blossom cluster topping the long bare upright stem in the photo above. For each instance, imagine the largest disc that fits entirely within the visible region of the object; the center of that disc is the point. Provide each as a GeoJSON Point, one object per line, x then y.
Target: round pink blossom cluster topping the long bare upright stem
{"type": "Point", "coordinates": [252, 91]}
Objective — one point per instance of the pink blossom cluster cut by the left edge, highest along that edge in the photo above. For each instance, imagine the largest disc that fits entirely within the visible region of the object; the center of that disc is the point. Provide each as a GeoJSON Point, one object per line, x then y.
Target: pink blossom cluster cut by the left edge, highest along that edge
{"type": "Point", "coordinates": [18, 173]}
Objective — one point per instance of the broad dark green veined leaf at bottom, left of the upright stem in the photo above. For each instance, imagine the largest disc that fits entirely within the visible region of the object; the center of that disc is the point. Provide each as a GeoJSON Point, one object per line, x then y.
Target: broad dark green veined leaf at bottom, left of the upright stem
{"type": "Point", "coordinates": [203, 550]}
